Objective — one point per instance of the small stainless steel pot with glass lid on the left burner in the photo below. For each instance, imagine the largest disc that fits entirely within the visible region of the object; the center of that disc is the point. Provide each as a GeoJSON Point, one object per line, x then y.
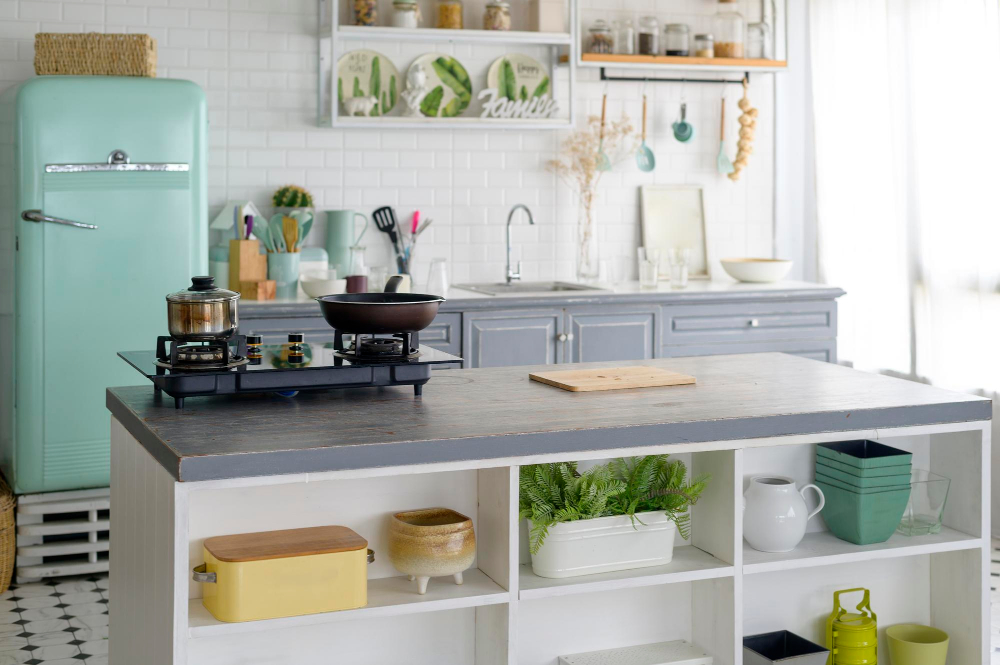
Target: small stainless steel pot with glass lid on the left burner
{"type": "Point", "coordinates": [202, 313]}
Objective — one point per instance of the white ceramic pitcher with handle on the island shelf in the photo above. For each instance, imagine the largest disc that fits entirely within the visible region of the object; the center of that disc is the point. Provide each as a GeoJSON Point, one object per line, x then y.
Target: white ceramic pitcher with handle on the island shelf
{"type": "Point", "coordinates": [775, 513]}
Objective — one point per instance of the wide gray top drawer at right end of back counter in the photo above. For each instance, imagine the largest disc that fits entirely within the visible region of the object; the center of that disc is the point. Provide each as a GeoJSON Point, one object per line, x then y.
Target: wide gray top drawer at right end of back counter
{"type": "Point", "coordinates": [747, 322]}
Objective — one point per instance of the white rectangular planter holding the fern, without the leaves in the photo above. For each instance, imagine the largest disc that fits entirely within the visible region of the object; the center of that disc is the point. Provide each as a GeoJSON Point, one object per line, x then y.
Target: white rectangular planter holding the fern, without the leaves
{"type": "Point", "coordinates": [605, 544]}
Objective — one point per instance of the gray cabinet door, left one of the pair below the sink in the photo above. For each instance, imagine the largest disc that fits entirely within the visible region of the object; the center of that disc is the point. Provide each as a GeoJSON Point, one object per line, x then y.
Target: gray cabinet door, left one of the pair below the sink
{"type": "Point", "coordinates": [512, 337]}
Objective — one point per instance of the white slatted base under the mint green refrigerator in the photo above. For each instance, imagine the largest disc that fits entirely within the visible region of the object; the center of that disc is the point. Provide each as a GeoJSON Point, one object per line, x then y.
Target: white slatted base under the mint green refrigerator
{"type": "Point", "coordinates": [62, 533]}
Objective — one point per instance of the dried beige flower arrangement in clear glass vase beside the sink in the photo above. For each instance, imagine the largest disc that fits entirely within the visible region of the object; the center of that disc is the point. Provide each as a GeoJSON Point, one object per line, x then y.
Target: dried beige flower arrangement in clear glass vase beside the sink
{"type": "Point", "coordinates": [578, 166]}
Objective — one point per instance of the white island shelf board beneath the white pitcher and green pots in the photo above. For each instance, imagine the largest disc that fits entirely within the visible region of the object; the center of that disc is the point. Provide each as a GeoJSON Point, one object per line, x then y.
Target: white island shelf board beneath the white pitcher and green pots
{"type": "Point", "coordinates": [824, 549]}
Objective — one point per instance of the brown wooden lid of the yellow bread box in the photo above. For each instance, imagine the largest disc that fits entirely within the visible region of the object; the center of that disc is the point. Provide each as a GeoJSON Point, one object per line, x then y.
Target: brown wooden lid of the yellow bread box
{"type": "Point", "coordinates": [284, 544]}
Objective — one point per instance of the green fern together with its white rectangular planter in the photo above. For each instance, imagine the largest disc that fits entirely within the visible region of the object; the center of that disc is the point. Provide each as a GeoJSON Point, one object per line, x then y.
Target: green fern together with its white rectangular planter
{"type": "Point", "coordinates": [615, 516]}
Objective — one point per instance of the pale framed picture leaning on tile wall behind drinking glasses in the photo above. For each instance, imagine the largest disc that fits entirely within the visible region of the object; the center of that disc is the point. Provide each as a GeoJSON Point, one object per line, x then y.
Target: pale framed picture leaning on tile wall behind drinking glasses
{"type": "Point", "coordinates": [674, 216]}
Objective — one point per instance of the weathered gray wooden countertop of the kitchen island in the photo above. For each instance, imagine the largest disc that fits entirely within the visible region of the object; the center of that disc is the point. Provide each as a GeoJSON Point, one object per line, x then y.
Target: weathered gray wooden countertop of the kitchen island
{"type": "Point", "coordinates": [481, 414]}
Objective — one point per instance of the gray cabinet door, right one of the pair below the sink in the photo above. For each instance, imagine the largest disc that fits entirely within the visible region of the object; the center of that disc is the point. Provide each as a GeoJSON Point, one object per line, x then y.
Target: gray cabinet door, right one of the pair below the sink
{"type": "Point", "coordinates": [611, 333]}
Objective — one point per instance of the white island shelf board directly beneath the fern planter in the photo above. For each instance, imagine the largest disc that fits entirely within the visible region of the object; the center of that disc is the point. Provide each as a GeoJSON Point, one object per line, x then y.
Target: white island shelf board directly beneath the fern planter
{"type": "Point", "coordinates": [689, 564]}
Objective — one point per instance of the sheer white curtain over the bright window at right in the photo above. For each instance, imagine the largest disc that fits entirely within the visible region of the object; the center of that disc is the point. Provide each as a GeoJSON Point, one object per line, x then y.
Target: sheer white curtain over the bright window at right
{"type": "Point", "coordinates": [907, 122]}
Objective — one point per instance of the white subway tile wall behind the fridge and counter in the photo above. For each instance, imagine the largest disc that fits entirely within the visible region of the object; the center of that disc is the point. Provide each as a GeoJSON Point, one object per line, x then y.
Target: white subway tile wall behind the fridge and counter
{"type": "Point", "coordinates": [257, 61]}
